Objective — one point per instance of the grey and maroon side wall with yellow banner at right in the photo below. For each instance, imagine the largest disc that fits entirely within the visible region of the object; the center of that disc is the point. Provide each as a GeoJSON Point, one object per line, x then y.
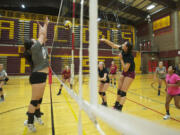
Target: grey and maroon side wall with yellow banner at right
{"type": "Point", "coordinates": [164, 37]}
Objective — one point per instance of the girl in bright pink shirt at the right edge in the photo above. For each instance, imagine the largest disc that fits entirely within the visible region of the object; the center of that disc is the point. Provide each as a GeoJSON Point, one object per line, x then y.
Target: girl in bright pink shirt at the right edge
{"type": "Point", "coordinates": [173, 89]}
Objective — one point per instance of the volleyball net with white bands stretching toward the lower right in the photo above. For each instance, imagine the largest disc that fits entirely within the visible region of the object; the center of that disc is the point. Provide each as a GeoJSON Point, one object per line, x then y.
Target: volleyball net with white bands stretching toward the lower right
{"type": "Point", "coordinates": [71, 49]}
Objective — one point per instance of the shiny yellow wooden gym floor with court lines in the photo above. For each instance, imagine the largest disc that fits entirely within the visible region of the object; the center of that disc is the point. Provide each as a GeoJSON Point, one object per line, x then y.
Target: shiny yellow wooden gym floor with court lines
{"type": "Point", "coordinates": [142, 101]}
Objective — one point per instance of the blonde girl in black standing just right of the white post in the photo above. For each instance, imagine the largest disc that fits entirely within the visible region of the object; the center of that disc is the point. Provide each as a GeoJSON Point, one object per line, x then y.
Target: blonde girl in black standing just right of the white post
{"type": "Point", "coordinates": [104, 82]}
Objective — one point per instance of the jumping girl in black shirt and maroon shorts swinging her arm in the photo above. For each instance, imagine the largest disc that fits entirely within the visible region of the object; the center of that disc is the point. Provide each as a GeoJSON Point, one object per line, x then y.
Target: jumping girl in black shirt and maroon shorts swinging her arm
{"type": "Point", "coordinates": [128, 74]}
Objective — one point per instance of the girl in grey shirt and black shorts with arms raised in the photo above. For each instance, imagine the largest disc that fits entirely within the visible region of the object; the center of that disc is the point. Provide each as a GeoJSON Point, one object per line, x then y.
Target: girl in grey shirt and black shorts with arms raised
{"type": "Point", "coordinates": [37, 56]}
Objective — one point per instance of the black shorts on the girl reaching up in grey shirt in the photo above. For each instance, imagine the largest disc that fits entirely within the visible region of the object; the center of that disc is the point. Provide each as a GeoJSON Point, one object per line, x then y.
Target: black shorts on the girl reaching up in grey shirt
{"type": "Point", "coordinates": [37, 77]}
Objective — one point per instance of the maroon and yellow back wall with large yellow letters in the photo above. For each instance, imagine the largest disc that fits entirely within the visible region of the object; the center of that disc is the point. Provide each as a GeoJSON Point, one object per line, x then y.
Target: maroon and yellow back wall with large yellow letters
{"type": "Point", "coordinates": [13, 32]}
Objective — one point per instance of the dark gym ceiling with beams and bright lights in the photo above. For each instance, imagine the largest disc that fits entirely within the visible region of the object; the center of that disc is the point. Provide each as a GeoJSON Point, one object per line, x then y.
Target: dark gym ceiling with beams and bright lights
{"type": "Point", "coordinates": [120, 11]}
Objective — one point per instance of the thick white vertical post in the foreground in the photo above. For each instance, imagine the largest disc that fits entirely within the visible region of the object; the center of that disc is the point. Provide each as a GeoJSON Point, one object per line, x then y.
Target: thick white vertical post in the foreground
{"type": "Point", "coordinates": [93, 50]}
